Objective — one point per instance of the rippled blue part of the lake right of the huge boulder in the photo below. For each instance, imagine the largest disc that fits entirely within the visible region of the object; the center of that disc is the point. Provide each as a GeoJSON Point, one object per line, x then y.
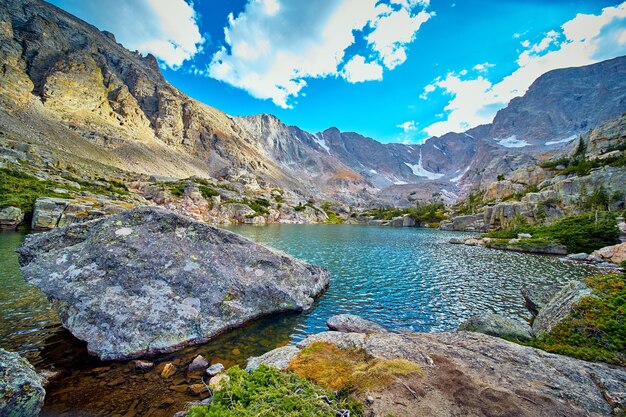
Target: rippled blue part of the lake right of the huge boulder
{"type": "Point", "coordinates": [410, 278]}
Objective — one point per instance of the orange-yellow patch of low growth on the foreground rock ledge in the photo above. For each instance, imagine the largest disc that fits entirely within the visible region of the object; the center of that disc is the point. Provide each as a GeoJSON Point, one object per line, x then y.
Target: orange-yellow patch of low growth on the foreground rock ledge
{"type": "Point", "coordinates": [348, 369]}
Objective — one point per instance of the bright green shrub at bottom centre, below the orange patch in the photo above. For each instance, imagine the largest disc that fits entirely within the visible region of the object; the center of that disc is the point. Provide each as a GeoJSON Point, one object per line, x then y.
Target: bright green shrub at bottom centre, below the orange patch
{"type": "Point", "coordinates": [270, 392]}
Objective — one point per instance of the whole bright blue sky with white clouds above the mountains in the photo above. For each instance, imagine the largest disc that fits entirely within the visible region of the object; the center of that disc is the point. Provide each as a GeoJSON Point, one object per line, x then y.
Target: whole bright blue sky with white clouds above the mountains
{"type": "Point", "coordinates": [394, 70]}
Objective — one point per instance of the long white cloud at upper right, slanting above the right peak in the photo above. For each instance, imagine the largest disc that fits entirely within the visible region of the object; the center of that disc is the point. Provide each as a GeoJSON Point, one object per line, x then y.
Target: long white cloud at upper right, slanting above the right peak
{"type": "Point", "coordinates": [584, 40]}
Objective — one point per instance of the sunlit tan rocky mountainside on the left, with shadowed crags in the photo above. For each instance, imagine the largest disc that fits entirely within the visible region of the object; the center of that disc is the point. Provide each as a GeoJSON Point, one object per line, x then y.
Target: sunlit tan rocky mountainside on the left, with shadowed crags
{"type": "Point", "coordinates": [64, 76]}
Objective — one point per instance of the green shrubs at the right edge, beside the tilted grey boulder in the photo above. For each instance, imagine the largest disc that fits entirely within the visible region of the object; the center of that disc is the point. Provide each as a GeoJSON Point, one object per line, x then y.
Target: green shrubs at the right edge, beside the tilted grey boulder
{"type": "Point", "coordinates": [596, 329]}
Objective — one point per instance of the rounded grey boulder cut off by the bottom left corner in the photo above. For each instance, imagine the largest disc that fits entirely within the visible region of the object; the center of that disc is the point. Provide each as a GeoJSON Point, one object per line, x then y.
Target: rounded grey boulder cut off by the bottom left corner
{"type": "Point", "coordinates": [21, 388]}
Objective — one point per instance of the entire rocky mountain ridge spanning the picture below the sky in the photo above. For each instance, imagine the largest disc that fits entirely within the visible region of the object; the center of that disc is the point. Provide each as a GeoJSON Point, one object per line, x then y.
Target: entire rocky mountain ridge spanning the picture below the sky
{"type": "Point", "coordinates": [65, 84]}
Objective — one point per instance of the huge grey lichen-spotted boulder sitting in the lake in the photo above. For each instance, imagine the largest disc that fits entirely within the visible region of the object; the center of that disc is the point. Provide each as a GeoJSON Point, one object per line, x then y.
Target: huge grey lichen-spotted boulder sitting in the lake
{"type": "Point", "coordinates": [148, 281]}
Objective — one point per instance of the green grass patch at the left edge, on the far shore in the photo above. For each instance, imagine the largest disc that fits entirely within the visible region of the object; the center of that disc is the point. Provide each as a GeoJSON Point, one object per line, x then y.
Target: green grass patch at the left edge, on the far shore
{"type": "Point", "coordinates": [19, 189]}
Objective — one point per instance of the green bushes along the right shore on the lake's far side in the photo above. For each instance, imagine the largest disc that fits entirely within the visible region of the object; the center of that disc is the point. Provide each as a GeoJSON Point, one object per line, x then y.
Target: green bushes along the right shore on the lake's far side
{"type": "Point", "coordinates": [579, 233]}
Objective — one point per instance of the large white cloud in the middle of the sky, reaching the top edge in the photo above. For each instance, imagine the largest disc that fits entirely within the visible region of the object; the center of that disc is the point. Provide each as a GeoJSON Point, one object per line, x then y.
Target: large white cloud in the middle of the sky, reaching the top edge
{"type": "Point", "coordinates": [274, 46]}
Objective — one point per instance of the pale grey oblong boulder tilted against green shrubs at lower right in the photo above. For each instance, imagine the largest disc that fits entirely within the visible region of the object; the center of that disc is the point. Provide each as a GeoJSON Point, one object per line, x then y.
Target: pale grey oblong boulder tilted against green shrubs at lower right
{"type": "Point", "coordinates": [559, 307]}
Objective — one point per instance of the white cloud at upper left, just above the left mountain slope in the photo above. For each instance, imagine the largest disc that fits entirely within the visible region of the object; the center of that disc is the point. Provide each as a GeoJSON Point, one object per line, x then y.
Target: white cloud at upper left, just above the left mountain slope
{"type": "Point", "coordinates": [166, 29]}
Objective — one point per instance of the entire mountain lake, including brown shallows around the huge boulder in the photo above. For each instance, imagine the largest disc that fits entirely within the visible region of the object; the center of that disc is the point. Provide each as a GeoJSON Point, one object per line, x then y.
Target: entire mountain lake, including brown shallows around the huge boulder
{"type": "Point", "coordinates": [403, 278]}
